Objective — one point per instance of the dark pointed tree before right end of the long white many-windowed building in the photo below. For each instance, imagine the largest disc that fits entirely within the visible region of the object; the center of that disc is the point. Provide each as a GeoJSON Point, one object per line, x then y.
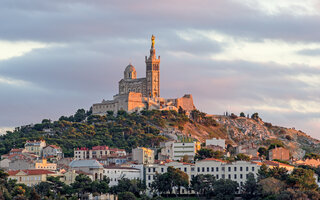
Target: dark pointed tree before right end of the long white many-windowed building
{"type": "Point", "coordinates": [251, 189]}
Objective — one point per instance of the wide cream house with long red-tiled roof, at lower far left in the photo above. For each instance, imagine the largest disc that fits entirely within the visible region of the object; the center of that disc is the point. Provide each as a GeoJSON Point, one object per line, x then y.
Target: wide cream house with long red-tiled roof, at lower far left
{"type": "Point", "coordinates": [30, 177]}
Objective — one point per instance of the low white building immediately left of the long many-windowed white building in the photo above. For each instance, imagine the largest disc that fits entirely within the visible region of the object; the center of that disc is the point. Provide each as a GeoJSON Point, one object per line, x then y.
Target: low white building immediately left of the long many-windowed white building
{"type": "Point", "coordinates": [116, 173]}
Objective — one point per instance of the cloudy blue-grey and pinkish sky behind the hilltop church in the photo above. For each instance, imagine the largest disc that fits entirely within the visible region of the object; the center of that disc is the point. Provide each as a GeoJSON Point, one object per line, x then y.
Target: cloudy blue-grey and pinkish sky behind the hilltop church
{"type": "Point", "coordinates": [231, 55]}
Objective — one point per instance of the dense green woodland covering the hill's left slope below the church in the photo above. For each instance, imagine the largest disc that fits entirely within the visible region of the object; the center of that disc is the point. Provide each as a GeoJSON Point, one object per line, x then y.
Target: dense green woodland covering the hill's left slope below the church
{"type": "Point", "coordinates": [124, 130]}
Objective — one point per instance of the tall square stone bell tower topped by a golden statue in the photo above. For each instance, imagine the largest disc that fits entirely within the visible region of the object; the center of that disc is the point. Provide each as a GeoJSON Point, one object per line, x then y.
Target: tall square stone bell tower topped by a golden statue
{"type": "Point", "coordinates": [153, 72]}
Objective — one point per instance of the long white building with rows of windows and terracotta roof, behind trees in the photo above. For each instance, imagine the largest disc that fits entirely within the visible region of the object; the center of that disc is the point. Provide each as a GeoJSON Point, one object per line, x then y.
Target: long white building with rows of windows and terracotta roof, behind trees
{"type": "Point", "coordinates": [237, 171]}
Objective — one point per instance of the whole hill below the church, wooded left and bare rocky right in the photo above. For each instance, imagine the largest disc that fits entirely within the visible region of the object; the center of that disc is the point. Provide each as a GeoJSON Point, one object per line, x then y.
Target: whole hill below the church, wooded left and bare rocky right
{"type": "Point", "coordinates": [149, 128]}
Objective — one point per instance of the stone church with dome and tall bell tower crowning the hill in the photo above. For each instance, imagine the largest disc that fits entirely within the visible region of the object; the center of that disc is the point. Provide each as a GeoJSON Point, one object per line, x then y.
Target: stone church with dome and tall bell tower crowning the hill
{"type": "Point", "coordinates": [136, 94]}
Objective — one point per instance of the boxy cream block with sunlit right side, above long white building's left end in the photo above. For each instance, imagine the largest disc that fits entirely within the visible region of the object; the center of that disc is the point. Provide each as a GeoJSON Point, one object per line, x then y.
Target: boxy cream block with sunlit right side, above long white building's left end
{"type": "Point", "coordinates": [143, 155]}
